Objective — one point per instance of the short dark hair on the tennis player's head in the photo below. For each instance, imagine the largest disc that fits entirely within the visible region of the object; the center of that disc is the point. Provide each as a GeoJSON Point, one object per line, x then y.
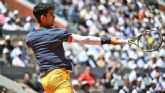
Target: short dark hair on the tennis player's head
{"type": "Point", "coordinates": [41, 9]}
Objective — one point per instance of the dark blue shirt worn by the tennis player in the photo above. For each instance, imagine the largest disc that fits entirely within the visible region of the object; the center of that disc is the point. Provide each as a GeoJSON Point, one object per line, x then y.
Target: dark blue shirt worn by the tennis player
{"type": "Point", "coordinates": [47, 45]}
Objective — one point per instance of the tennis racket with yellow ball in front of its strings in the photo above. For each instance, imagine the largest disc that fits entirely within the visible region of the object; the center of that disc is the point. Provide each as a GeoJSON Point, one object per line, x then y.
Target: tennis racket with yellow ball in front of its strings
{"type": "Point", "coordinates": [148, 40]}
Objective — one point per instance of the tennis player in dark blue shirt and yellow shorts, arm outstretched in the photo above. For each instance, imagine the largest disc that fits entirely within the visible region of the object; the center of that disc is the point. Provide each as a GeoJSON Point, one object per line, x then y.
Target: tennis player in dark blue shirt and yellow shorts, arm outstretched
{"type": "Point", "coordinates": [46, 42]}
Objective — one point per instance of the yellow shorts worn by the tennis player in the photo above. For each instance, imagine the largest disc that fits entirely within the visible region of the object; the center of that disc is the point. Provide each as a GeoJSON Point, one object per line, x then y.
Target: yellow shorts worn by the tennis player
{"type": "Point", "coordinates": [57, 81]}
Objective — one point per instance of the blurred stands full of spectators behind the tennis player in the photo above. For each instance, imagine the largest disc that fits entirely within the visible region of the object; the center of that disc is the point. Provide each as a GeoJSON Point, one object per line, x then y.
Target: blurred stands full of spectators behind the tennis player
{"type": "Point", "coordinates": [97, 69]}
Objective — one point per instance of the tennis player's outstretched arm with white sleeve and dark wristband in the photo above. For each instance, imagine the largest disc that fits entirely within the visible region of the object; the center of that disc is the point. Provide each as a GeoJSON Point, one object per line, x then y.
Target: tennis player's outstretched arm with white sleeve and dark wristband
{"type": "Point", "coordinates": [92, 40]}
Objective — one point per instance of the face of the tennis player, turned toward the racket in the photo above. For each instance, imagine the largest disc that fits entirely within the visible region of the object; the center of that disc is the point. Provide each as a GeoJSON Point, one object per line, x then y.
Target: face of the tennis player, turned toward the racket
{"type": "Point", "coordinates": [50, 18]}
